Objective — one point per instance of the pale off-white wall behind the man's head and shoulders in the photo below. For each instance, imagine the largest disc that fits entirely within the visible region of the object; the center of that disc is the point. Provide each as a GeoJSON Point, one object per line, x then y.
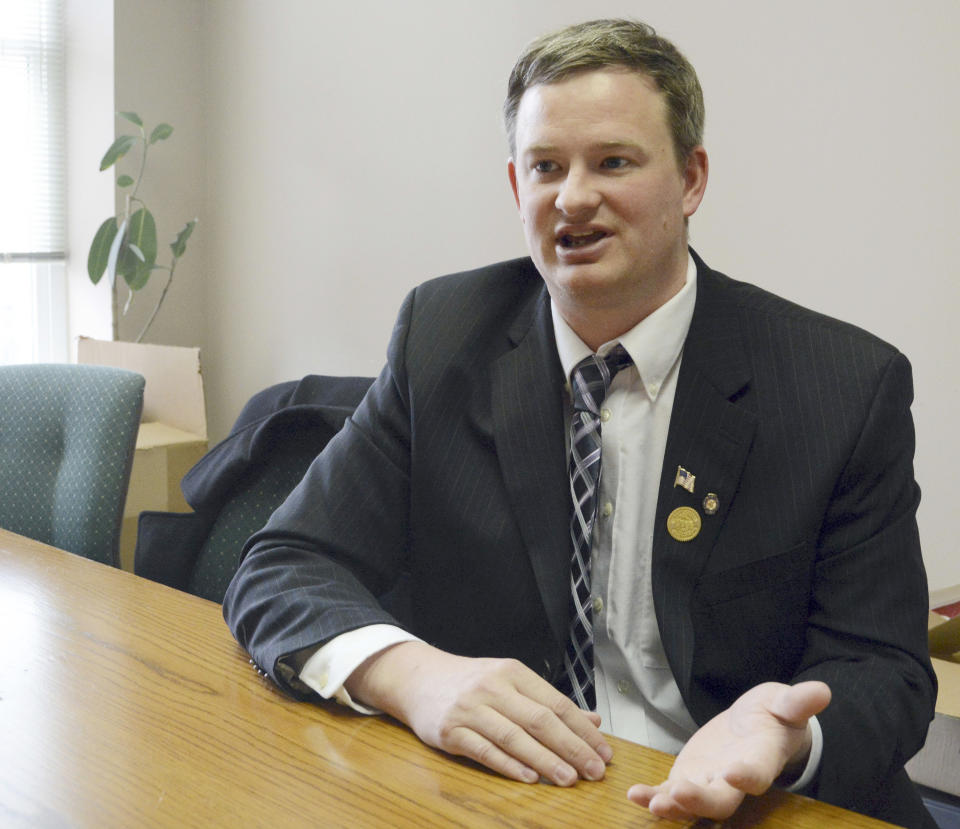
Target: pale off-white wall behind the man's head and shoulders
{"type": "Point", "coordinates": [353, 150]}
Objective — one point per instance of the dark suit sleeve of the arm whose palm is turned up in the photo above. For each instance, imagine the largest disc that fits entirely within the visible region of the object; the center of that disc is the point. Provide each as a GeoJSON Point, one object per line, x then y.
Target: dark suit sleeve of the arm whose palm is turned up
{"type": "Point", "coordinates": [866, 636]}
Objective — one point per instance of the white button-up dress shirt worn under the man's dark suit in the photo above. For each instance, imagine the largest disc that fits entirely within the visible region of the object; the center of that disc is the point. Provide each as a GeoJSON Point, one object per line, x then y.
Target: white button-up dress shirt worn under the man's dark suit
{"type": "Point", "coordinates": [637, 696]}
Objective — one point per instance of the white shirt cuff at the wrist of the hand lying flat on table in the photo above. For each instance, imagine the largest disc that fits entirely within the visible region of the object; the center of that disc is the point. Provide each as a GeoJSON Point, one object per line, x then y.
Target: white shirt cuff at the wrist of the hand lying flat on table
{"type": "Point", "coordinates": [330, 666]}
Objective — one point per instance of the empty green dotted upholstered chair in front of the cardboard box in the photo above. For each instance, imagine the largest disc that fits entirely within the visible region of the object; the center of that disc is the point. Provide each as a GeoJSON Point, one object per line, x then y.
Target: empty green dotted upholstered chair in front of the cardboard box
{"type": "Point", "coordinates": [67, 438]}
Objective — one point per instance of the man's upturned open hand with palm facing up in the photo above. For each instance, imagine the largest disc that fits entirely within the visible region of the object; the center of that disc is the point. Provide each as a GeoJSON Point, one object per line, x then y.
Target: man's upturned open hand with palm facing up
{"type": "Point", "coordinates": [741, 751]}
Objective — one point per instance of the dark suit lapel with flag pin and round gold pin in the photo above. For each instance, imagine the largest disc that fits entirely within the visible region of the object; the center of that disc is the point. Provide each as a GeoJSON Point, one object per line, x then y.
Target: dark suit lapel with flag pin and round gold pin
{"type": "Point", "coordinates": [710, 437]}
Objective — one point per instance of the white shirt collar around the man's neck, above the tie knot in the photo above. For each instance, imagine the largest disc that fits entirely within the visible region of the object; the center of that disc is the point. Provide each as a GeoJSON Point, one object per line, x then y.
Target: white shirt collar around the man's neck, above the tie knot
{"type": "Point", "coordinates": [654, 343]}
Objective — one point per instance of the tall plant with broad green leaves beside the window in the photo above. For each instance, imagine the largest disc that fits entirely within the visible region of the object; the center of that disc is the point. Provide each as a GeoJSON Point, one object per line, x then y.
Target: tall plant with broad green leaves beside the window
{"type": "Point", "coordinates": [126, 245]}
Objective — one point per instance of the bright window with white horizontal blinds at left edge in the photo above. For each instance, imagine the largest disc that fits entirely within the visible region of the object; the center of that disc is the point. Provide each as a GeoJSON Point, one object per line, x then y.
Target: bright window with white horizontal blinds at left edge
{"type": "Point", "coordinates": [32, 182]}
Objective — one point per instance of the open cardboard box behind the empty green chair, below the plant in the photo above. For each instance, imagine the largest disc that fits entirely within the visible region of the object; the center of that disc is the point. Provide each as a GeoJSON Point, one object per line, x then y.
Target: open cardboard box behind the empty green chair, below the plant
{"type": "Point", "coordinates": [173, 428]}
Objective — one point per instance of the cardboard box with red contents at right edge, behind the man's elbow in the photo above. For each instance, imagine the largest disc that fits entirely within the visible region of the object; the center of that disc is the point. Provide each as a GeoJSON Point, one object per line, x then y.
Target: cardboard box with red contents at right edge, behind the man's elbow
{"type": "Point", "coordinates": [937, 764]}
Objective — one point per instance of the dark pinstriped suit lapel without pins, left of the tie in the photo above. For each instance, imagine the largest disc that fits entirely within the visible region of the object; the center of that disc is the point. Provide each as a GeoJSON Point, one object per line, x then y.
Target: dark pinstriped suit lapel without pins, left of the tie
{"type": "Point", "coordinates": [527, 401]}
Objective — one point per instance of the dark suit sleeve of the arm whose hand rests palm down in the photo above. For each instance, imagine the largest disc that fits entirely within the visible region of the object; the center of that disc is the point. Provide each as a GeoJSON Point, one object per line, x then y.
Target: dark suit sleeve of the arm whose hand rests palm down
{"type": "Point", "coordinates": [339, 542]}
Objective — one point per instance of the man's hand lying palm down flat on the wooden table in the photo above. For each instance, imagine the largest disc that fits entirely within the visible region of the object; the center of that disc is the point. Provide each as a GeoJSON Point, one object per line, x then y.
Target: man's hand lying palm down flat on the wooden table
{"type": "Point", "coordinates": [495, 711]}
